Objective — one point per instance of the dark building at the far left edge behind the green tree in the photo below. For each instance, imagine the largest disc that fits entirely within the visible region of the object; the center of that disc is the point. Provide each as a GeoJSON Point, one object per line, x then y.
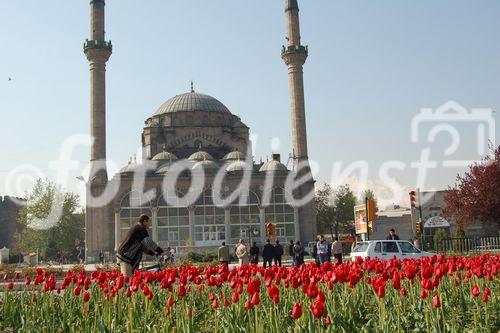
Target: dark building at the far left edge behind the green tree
{"type": "Point", "coordinates": [9, 213]}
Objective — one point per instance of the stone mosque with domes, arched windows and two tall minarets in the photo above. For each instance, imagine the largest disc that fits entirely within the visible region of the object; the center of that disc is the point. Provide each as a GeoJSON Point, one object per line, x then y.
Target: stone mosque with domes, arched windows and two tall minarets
{"type": "Point", "coordinates": [194, 132]}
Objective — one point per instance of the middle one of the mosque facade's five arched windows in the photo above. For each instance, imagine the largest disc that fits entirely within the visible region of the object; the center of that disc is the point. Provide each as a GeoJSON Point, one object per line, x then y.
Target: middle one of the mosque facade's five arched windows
{"type": "Point", "coordinates": [209, 221]}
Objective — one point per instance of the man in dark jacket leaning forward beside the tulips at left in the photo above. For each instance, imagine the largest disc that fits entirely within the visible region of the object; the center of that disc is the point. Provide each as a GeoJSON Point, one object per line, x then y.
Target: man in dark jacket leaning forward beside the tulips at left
{"type": "Point", "coordinates": [136, 241]}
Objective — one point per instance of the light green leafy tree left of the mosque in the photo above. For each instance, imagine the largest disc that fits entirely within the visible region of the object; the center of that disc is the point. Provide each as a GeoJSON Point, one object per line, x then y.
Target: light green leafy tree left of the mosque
{"type": "Point", "coordinates": [41, 229]}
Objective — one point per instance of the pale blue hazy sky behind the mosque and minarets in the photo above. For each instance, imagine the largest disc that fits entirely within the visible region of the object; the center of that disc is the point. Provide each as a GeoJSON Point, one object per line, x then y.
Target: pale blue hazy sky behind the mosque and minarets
{"type": "Point", "coordinates": [372, 67]}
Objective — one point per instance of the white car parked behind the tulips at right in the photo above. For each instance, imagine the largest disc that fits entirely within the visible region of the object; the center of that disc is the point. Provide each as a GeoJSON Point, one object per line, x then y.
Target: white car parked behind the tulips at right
{"type": "Point", "coordinates": [387, 249]}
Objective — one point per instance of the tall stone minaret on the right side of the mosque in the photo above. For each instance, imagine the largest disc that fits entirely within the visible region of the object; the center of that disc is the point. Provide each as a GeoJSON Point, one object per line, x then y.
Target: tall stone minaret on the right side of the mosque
{"type": "Point", "coordinates": [294, 55]}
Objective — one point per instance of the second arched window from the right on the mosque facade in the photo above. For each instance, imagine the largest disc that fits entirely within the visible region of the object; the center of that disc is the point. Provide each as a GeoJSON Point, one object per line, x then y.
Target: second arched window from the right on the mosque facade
{"type": "Point", "coordinates": [245, 218]}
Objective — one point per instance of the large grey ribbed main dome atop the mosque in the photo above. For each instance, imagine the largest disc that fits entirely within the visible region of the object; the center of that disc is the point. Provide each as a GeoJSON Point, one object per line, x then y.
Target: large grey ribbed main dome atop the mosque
{"type": "Point", "coordinates": [192, 101]}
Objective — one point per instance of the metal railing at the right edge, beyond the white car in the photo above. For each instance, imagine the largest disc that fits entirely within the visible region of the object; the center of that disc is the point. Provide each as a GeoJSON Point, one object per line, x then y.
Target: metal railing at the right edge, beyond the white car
{"type": "Point", "coordinates": [469, 245]}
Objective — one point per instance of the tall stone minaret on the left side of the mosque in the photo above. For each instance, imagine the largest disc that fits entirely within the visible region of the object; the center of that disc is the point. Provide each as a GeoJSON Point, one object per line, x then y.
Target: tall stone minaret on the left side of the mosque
{"type": "Point", "coordinates": [98, 52]}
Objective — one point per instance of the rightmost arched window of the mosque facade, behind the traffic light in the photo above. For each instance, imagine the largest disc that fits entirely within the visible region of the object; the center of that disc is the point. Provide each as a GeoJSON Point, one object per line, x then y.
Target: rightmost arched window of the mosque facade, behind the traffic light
{"type": "Point", "coordinates": [282, 214]}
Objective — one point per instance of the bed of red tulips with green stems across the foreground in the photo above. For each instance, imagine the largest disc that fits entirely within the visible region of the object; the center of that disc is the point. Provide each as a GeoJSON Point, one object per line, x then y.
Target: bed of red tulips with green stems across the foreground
{"type": "Point", "coordinates": [439, 294]}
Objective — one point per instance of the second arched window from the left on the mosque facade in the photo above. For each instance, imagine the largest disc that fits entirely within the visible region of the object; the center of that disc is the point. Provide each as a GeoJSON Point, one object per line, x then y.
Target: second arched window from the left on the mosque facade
{"type": "Point", "coordinates": [173, 221]}
